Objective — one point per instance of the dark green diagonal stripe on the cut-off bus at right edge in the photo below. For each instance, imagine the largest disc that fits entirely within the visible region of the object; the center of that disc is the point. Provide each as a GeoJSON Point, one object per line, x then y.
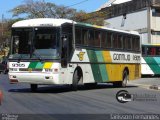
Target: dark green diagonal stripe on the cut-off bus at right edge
{"type": "Point", "coordinates": [153, 64]}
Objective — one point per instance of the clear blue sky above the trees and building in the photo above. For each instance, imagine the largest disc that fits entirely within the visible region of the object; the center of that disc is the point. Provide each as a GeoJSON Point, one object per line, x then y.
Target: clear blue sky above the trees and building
{"type": "Point", "coordinates": [88, 6]}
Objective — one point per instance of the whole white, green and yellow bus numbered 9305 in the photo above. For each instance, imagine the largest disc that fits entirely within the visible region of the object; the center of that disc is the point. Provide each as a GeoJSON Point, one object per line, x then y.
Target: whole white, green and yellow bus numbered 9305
{"type": "Point", "coordinates": [59, 51]}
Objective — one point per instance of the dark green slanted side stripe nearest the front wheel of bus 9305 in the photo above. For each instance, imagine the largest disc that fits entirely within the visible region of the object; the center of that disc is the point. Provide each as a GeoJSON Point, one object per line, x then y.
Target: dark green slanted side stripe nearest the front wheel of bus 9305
{"type": "Point", "coordinates": [95, 67]}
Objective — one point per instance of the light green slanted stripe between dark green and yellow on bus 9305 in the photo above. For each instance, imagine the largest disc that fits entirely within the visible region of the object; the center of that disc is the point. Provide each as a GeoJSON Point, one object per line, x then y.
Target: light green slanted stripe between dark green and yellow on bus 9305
{"type": "Point", "coordinates": [102, 67]}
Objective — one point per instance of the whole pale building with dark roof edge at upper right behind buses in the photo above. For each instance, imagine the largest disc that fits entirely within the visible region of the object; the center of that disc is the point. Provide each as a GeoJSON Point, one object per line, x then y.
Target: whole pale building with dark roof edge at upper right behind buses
{"type": "Point", "coordinates": [137, 15]}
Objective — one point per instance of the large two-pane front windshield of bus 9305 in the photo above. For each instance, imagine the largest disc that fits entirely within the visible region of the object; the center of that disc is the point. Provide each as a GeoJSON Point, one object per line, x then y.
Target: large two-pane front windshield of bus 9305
{"type": "Point", "coordinates": [33, 43]}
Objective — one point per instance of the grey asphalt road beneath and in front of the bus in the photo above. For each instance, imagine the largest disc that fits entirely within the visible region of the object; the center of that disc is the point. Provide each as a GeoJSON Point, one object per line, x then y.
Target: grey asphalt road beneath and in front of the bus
{"type": "Point", "coordinates": [61, 100]}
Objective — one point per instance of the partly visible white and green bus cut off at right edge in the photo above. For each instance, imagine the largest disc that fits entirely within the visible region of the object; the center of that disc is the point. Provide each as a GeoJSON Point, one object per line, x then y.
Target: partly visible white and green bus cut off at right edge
{"type": "Point", "coordinates": [150, 60]}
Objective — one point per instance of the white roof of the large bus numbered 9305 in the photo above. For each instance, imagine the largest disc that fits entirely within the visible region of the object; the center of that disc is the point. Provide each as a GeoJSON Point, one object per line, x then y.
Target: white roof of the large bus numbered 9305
{"type": "Point", "coordinates": [58, 22]}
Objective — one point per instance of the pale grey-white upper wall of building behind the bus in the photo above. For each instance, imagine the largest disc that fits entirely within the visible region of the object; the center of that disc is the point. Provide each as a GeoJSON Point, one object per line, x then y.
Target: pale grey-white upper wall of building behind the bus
{"type": "Point", "coordinates": [134, 21]}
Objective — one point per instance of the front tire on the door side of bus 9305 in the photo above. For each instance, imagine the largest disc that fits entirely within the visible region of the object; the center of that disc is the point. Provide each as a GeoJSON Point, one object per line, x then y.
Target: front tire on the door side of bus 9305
{"type": "Point", "coordinates": [75, 81]}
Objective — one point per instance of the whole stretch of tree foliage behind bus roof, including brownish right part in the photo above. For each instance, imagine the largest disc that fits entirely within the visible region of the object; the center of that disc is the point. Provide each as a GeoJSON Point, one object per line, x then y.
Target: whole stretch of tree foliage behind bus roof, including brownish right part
{"type": "Point", "coordinates": [40, 9]}
